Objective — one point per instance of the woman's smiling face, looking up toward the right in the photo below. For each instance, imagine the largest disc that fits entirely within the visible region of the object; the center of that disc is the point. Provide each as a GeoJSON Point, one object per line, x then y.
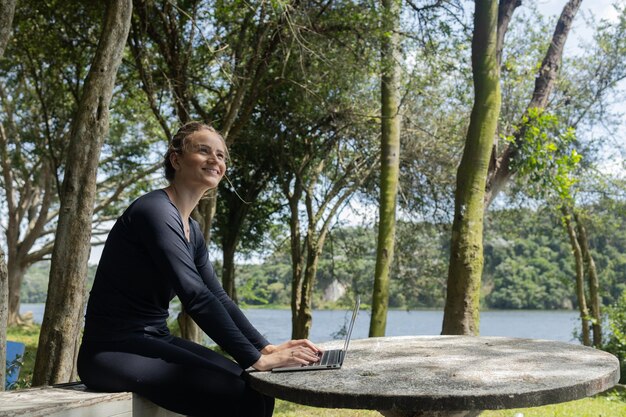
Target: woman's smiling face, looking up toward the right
{"type": "Point", "coordinates": [202, 162]}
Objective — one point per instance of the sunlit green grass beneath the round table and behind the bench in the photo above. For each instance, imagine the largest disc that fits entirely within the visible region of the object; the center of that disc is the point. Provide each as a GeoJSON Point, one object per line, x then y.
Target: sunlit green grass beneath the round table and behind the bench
{"type": "Point", "coordinates": [611, 404]}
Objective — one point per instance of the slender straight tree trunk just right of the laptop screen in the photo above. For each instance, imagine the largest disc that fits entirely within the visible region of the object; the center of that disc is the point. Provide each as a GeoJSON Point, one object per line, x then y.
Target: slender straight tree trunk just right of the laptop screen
{"type": "Point", "coordinates": [390, 164]}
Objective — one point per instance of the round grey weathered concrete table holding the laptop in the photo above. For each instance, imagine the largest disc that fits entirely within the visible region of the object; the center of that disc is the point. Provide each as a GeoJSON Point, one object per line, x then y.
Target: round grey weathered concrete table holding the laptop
{"type": "Point", "coordinates": [447, 375]}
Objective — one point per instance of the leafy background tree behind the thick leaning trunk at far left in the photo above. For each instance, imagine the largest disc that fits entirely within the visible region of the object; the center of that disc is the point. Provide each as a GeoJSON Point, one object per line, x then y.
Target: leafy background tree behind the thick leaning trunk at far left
{"type": "Point", "coordinates": [41, 85]}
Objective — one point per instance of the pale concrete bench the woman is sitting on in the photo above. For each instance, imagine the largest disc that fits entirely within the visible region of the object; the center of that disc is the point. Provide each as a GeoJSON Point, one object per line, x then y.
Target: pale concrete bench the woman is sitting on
{"type": "Point", "coordinates": [75, 400]}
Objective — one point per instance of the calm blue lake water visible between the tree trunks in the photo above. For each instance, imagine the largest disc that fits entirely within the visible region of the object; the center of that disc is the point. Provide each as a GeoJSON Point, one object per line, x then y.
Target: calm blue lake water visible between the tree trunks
{"type": "Point", "coordinates": [276, 324]}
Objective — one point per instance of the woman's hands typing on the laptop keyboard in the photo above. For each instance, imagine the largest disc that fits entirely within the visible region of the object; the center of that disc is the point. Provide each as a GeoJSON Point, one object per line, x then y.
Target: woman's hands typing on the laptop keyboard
{"type": "Point", "coordinates": [291, 353]}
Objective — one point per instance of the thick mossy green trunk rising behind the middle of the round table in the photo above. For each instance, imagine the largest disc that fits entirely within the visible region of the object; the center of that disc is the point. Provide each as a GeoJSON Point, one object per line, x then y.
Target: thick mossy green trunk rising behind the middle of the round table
{"type": "Point", "coordinates": [461, 313]}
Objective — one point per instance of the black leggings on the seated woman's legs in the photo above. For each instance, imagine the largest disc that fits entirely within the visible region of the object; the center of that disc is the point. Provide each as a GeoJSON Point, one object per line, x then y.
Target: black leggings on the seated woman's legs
{"type": "Point", "coordinates": [174, 373]}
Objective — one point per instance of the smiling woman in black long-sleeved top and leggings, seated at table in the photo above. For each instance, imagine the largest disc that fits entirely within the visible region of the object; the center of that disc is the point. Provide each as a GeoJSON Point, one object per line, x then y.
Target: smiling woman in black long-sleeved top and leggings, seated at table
{"type": "Point", "coordinates": [155, 251]}
